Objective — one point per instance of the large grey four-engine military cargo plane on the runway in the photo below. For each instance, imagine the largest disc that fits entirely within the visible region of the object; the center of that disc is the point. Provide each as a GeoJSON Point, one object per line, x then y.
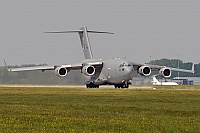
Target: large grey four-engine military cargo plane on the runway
{"type": "Point", "coordinates": [117, 72]}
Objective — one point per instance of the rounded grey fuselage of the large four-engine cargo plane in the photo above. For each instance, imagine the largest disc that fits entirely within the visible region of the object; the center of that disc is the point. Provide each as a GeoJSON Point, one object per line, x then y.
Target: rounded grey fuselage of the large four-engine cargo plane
{"type": "Point", "coordinates": [113, 72]}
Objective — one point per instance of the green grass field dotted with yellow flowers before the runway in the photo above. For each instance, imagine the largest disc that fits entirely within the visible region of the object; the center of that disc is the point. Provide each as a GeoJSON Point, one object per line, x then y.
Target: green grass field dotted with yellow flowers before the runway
{"type": "Point", "coordinates": [32, 109]}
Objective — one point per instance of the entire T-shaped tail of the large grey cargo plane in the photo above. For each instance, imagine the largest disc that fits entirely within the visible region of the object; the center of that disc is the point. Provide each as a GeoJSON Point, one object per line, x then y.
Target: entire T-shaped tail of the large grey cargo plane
{"type": "Point", "coordinates": [83, 33]}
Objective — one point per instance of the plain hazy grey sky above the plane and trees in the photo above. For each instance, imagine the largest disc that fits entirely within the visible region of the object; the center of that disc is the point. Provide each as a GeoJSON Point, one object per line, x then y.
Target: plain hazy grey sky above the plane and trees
{"type": "Point", "coordinates": [144, 30]}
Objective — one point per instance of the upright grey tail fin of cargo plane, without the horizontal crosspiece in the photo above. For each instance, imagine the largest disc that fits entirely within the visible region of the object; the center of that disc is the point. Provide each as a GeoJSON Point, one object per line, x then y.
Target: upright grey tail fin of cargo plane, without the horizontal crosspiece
{"type": "Point", "coordinates": [85, 43]}
